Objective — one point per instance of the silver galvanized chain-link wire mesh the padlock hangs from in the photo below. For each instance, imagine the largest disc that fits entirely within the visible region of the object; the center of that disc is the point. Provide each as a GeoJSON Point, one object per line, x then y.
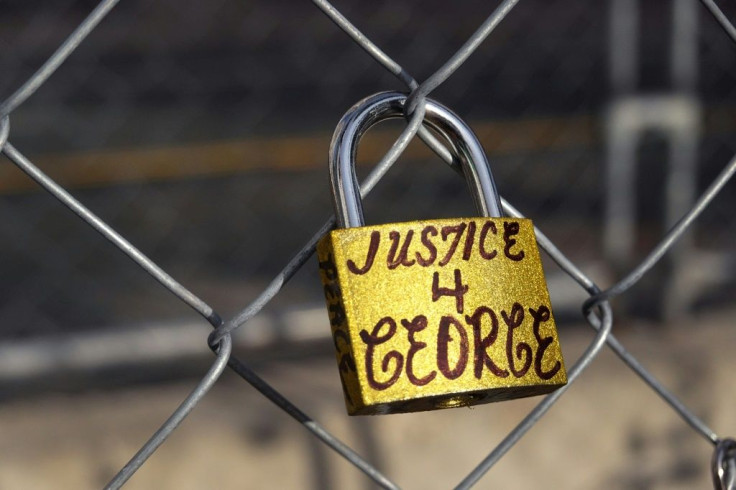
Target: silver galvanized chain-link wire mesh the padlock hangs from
{"type": "Point", "coordinates": [597, 309]}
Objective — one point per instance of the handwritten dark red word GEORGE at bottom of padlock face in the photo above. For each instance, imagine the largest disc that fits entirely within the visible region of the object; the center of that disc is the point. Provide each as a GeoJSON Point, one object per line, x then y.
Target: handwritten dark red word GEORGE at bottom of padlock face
{"type": "Point", "coordinates": [454, 341]}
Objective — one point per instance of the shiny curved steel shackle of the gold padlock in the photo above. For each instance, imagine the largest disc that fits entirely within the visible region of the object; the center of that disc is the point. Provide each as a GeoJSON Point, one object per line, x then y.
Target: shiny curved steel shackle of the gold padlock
{"type": "Point", "coordinates": [387, 105]}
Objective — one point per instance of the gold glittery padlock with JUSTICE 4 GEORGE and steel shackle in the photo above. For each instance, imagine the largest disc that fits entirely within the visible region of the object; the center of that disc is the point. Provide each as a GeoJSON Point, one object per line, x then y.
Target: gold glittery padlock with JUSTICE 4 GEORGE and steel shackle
{"type": "Point", "coordinates": [439, 313]}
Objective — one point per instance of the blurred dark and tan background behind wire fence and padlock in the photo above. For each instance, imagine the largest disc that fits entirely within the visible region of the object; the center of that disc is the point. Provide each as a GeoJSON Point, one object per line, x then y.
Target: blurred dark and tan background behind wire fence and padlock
{"type": "Point", "coordinates": [199, 131]}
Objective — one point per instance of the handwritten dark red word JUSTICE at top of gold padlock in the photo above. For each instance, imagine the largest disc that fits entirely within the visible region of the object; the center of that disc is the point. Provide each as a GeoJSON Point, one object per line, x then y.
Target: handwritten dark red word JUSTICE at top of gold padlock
{"type": "Point", "coordinates": [429, 249]}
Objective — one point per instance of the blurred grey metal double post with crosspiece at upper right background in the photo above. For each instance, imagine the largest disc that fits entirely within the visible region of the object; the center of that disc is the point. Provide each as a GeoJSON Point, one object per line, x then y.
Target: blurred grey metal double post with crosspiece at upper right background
{"type": "Point", "coordinates": [677, 116]}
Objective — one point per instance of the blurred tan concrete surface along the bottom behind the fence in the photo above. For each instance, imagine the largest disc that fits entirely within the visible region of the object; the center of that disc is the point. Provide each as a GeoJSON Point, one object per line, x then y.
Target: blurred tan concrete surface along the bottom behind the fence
{"type": "Point", "coordinates": [608, 431]}
